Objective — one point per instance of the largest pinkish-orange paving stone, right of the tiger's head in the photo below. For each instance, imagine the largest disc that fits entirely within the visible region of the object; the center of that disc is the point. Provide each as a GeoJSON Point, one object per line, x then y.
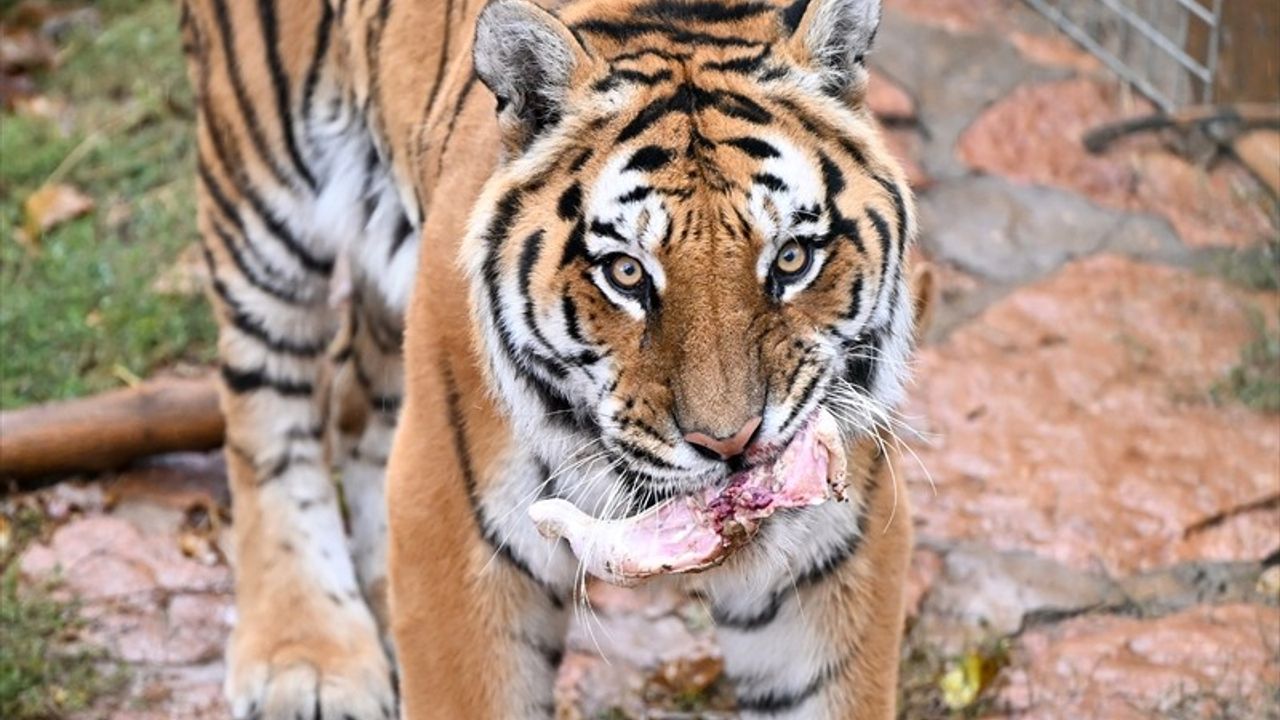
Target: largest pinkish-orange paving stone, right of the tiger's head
{"type": "Point", "coordinates": [1076, 420]}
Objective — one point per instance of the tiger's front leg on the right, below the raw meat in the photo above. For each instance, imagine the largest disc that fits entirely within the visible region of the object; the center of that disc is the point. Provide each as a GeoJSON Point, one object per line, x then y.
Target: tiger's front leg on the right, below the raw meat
{"type": "Point", "coordinates": [811, 623]}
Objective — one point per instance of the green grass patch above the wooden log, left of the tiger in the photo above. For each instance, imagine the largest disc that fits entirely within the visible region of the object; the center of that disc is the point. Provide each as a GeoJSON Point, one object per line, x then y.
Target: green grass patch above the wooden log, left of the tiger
{"type": "Point", "coordinates": [79, 313]}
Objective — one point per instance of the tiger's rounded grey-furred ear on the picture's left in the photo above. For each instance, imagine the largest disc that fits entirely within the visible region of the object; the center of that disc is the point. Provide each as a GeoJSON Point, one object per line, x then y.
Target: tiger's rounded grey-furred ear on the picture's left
{"type": "Point", "coordinates": [527, 57]}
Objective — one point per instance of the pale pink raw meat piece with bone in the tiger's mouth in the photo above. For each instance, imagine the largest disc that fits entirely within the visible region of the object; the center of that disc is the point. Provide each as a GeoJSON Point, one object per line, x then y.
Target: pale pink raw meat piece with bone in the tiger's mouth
{"type": "Point", "coordinates": [698, 531]}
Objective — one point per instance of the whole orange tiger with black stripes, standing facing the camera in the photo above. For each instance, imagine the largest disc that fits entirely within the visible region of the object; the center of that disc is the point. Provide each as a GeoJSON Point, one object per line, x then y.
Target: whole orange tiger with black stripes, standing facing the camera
{"type": "Point", "coordinates": [467, 257]}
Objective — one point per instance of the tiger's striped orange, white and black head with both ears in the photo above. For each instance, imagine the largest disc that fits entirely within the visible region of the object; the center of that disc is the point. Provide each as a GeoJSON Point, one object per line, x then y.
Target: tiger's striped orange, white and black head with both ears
{"type": "Point", "coordinates": [696, 239]}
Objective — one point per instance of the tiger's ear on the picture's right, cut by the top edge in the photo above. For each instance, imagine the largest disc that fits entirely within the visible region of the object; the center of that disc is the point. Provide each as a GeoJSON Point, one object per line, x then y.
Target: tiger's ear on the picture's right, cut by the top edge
{"type": "Point", "coordinates": [834, 37]}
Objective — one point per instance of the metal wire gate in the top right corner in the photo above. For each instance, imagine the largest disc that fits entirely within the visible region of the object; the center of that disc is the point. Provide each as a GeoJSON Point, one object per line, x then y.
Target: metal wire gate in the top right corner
{"type": "Point", "coordinates": [1168, 49]}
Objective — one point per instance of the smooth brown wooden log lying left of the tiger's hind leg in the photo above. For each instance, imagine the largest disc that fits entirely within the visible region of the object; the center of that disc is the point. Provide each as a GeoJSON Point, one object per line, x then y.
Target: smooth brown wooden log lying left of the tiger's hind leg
{"type": "Point", "coordinates": [108, 431]}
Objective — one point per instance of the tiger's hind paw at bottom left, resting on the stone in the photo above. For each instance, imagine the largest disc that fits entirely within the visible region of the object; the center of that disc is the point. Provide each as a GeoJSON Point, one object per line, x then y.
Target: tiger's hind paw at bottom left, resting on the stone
{"type": "Point", "coordinates": [319, 675]}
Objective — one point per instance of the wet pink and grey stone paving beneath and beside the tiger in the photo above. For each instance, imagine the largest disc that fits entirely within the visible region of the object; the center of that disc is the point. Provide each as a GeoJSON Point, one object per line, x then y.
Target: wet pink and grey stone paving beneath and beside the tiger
{"type": "Point", "coordinates": [1099, 523]}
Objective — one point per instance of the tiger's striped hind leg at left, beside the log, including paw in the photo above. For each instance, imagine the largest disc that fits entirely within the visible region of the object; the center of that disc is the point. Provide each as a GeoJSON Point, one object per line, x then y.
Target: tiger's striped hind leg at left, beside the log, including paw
{"type": "Point", "coordinates": [305, 644]}
